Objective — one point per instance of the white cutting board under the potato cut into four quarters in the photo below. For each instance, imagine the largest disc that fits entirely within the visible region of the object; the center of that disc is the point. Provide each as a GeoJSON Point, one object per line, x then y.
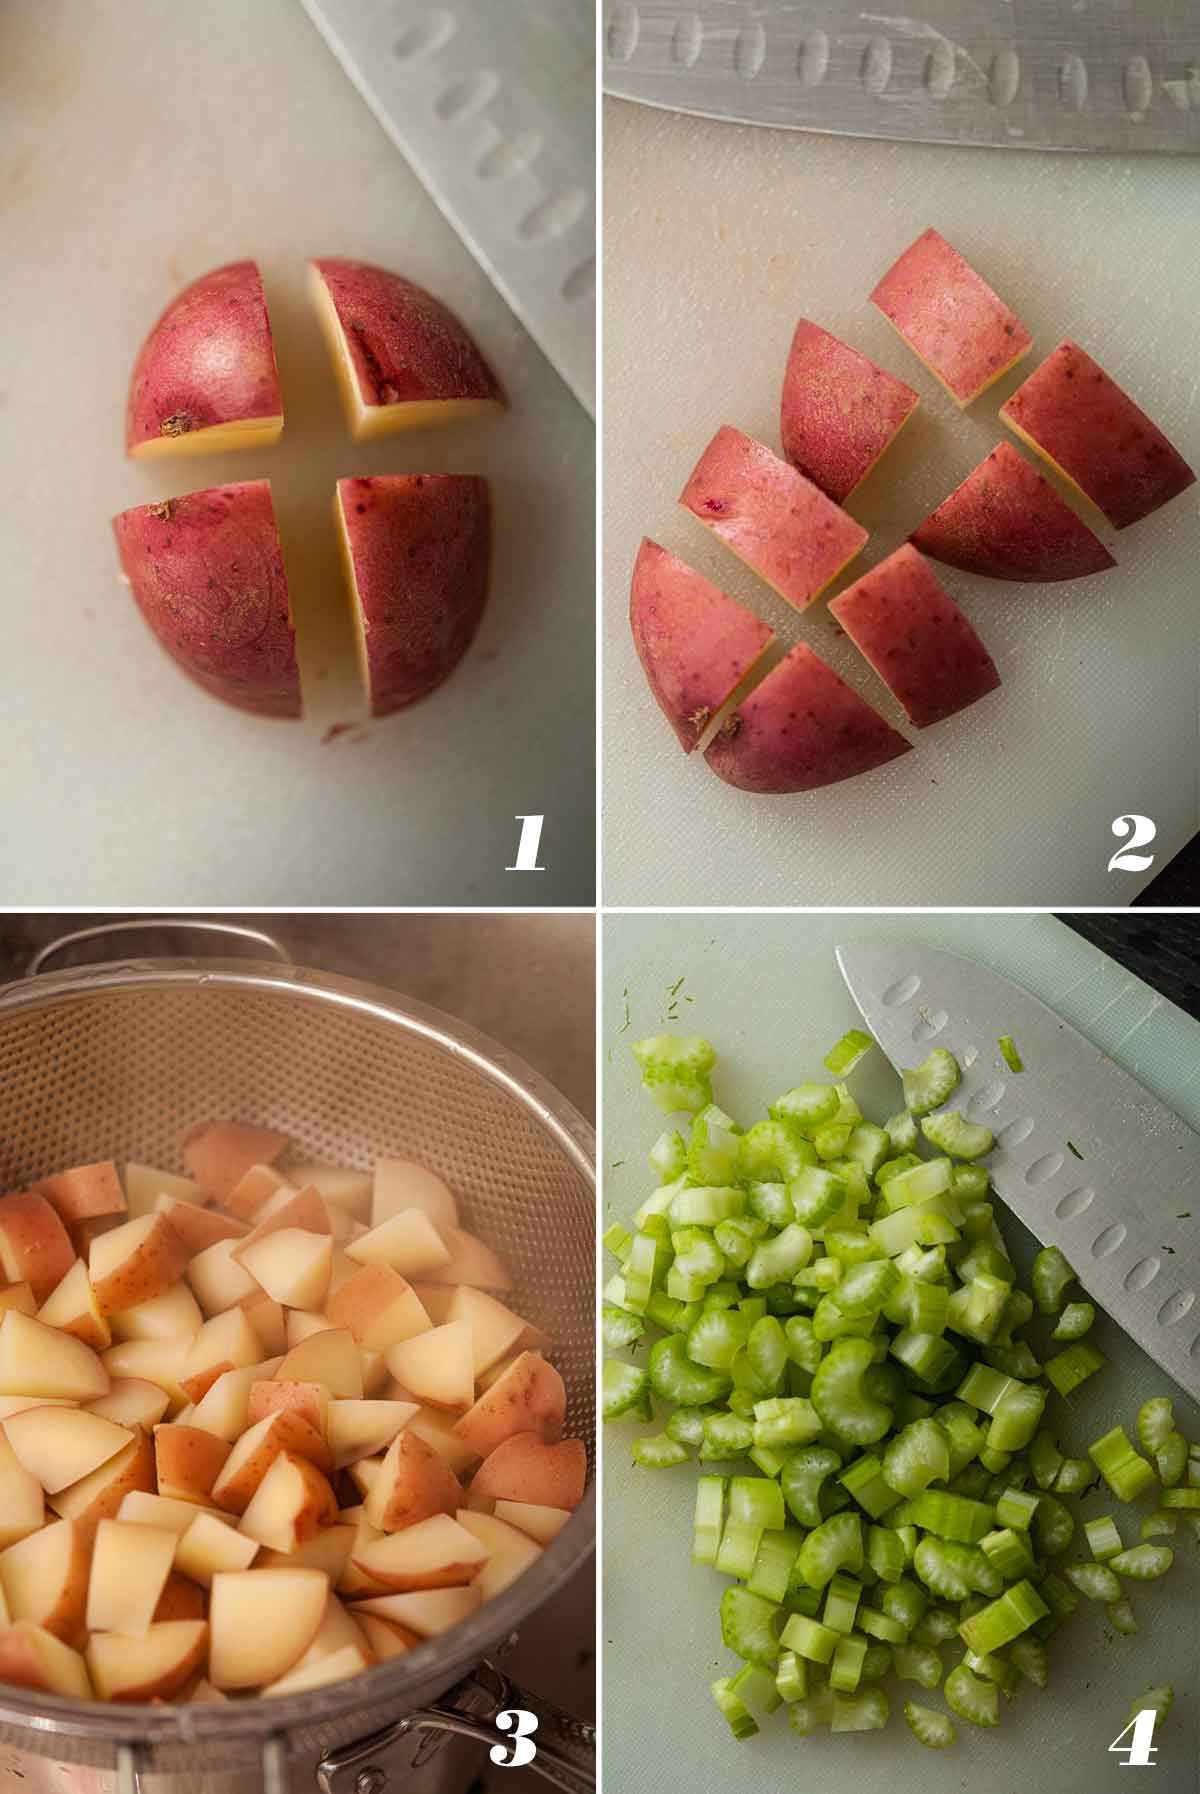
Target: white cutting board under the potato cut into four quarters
{"type": "Point", "coordinates": [144, 143]}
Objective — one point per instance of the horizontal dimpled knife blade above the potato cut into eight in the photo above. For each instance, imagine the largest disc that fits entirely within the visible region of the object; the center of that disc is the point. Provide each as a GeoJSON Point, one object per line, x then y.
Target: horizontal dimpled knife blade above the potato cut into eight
{"type": "Point", "coordinates": [1030, 74]}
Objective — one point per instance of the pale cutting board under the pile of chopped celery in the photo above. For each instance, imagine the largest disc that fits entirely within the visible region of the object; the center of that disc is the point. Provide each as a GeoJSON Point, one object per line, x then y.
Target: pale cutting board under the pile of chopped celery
{"type": "Point", "coordinates": [770, 997]}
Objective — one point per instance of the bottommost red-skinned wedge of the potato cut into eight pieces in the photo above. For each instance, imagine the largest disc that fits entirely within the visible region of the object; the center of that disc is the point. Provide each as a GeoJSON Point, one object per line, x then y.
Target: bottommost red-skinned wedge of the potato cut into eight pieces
{"type": "Point", "coordinates": [803, 729]}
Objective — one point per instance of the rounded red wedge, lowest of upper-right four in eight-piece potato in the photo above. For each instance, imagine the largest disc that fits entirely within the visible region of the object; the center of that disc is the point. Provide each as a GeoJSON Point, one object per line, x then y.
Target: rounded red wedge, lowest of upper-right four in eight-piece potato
{"type": "Point", "coordinates": [1007, 523]}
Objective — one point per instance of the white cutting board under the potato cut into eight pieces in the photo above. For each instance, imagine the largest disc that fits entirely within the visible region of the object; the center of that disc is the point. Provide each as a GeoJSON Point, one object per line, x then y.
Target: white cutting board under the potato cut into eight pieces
{"type": "Point", "coordinates": [718, 238]}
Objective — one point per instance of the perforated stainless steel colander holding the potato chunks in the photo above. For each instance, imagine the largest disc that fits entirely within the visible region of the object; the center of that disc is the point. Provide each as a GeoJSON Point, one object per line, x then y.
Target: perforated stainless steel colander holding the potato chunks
{"type": "Point", "coordinates": [110, 1063]}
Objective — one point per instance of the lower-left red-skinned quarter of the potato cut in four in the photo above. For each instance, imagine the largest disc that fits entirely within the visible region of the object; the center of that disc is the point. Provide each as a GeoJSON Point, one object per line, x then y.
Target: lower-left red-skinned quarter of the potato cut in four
{"type": "Point", "coordinates": [207, 575]}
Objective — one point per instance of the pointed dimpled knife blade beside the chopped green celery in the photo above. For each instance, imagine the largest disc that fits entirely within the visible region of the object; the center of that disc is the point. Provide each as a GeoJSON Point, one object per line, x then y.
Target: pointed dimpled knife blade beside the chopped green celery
{"type": "Point", "coordinates": [1084, 1156]}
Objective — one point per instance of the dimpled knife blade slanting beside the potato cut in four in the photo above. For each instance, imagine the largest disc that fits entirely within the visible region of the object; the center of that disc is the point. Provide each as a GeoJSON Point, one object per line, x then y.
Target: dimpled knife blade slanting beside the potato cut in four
{"type": "Point", "coordinates": [494, 107]}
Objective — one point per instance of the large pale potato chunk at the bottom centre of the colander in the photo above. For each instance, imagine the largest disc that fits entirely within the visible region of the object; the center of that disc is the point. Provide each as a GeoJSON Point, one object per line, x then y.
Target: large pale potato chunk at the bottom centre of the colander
{"type": "Point", "coordinates": [247, 1653]}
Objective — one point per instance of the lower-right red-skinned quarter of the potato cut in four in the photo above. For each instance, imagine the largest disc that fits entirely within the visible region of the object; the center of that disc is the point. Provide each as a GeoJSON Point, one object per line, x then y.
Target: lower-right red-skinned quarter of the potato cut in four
{"type": "Point", "coordinates": [421, 546]}
